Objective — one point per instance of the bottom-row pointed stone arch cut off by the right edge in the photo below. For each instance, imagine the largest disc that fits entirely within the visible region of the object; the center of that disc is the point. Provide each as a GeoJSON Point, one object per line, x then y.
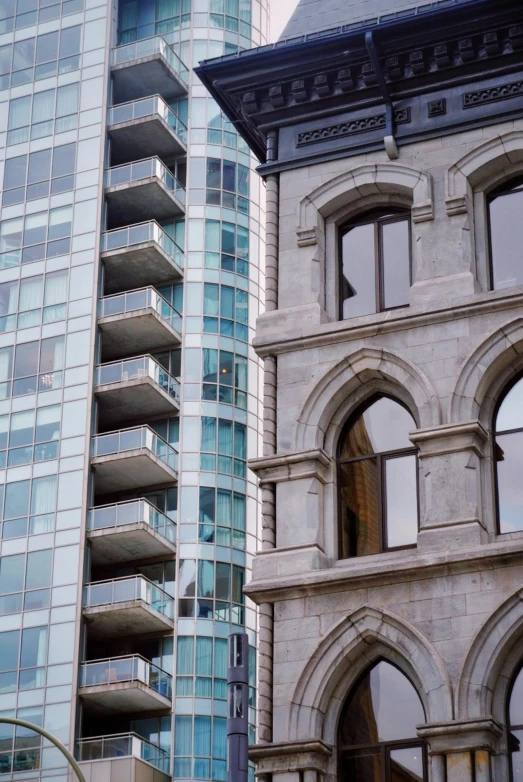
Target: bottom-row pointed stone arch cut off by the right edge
{"type": "Point", "coordinates": [490, 663]}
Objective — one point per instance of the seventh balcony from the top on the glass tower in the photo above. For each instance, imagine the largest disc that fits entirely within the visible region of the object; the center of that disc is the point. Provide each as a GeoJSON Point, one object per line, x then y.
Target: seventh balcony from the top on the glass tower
{"type": "Point", "coordinates": [132, 458]}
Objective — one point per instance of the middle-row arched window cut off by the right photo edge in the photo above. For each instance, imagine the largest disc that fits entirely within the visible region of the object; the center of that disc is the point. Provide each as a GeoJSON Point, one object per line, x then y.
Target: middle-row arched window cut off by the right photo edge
{"type": "Point", "coordinates": [508, 455]}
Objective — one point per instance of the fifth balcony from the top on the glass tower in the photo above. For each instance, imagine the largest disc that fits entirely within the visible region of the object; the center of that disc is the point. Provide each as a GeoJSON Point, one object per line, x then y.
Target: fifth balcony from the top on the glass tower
{"type": "Point", "coordinates": [137, 322]}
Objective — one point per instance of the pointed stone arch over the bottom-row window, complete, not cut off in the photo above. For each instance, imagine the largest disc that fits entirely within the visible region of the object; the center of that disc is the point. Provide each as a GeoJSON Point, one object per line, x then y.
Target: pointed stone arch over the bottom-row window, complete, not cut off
{"type": "Point", "coordinates": [355, 643]}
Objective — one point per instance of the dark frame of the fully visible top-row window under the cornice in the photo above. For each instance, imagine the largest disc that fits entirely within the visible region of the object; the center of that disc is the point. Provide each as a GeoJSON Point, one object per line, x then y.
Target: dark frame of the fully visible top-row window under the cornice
{"type": "Point", "coordinates": [379, 218]}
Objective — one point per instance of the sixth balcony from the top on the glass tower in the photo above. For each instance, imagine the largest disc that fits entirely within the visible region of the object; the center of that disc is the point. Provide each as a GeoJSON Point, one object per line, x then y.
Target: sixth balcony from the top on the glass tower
{"type": "Point", "coordinates": [133, 388]}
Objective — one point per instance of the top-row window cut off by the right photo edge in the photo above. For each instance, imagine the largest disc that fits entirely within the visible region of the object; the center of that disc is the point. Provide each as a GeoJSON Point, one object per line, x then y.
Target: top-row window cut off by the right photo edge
{"type": "Point", "coordinates": [505, 208]}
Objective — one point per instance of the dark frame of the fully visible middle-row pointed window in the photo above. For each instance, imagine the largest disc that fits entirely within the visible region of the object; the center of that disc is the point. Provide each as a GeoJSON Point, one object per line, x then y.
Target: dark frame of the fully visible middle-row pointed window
{"type": "Point", "coordinates": [380, 458]}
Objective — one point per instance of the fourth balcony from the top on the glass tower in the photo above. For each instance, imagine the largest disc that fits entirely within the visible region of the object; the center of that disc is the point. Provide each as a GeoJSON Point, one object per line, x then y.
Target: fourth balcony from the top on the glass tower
{"type": "Point", "coordinates": [139, 255]}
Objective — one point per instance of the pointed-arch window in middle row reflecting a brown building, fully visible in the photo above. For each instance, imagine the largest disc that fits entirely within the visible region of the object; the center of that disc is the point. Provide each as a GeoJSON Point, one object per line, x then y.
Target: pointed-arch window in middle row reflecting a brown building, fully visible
{"type": "Point", "coordinates": [377, 480]}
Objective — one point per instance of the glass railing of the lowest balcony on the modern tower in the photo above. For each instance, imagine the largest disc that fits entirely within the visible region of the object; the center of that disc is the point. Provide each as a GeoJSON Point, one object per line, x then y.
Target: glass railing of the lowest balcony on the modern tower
{"type": "Point", "coordinates": [122, 745]}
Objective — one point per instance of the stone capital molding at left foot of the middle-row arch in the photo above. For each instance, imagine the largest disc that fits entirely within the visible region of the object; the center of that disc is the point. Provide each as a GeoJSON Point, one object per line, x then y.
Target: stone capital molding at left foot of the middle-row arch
{"type": "Point", "coordinates": [292, 466]}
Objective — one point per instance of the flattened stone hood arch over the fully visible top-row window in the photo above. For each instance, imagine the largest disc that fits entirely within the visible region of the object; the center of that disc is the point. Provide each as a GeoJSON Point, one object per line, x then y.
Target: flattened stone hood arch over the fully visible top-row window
{"type": "Point", "coordinates": [369, 179]}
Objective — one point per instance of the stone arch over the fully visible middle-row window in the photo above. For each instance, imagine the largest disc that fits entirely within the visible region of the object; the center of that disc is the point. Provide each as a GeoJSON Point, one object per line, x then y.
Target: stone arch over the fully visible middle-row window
{"type": "Point", "coordinates": [349, 383]}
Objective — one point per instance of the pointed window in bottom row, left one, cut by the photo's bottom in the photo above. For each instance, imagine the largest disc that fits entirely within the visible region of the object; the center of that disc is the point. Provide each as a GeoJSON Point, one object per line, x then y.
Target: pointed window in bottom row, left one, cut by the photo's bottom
{"type": "Point", "coordinates": [377, 740]}
